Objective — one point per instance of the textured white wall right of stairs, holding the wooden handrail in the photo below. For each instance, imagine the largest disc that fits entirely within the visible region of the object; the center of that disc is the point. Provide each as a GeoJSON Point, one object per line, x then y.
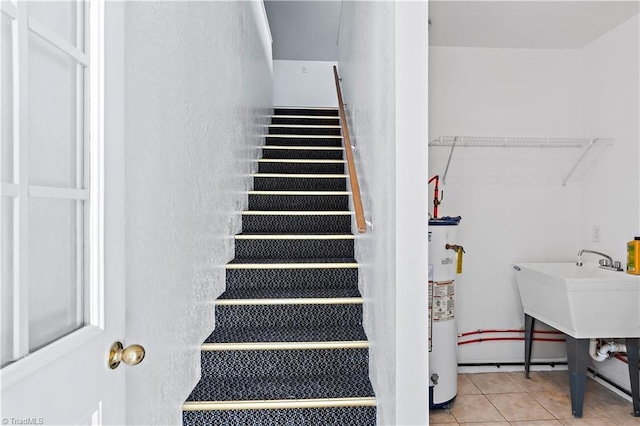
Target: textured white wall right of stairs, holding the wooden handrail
{"type": "Point", "coordinates": [367, 69]}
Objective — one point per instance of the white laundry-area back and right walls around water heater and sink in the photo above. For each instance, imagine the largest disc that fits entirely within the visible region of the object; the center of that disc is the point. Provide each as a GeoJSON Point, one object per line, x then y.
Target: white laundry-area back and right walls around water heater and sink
{"type": "Point", "coordinates": [513, 205]}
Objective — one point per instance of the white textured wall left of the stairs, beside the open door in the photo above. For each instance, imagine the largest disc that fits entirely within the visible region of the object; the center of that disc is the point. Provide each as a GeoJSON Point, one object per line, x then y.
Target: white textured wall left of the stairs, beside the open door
{"type": "Point", "coordinates": [199, 89]}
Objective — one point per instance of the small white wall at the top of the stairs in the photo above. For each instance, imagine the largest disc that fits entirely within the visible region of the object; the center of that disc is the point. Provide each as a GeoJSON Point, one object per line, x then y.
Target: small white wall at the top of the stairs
{"type": "Point", "coordinates": [304, 83]}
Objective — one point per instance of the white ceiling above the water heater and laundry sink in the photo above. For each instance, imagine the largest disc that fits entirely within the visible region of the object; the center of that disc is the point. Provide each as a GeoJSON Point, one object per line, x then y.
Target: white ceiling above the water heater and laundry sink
{"type": "Point", "coordinates": [525, 24]}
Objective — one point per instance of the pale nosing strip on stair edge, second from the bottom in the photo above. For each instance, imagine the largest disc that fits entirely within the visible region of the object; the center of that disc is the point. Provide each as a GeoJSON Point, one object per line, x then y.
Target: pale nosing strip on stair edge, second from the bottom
{"type": "Point", "coordinates": [277, 346]}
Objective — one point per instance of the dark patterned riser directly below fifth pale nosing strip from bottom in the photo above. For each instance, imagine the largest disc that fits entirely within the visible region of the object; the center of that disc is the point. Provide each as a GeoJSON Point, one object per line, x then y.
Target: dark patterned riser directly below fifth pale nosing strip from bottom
{"type": "Point", "coordinates": [293, 249]}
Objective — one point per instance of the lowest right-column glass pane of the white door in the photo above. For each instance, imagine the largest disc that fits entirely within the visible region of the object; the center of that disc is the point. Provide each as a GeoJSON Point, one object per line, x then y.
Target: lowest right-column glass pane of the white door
{"type": "Point", "coordinates": [55, 297]}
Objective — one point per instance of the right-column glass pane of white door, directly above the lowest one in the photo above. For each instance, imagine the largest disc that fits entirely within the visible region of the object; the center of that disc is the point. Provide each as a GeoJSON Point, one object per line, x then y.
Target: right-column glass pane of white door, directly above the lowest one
{"type": "Point", "coordinates": [52, 115]}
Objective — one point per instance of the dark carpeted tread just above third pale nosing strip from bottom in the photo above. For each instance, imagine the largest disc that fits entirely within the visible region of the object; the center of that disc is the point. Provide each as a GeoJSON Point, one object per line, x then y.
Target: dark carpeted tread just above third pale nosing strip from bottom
{"type": "Point", "coordinates": [289, 293]}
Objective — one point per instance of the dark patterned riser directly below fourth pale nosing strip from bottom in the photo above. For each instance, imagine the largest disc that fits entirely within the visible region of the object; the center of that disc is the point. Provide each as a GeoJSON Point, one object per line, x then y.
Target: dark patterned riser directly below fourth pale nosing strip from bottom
{"type": "Point", "coordinates": [292, 278]}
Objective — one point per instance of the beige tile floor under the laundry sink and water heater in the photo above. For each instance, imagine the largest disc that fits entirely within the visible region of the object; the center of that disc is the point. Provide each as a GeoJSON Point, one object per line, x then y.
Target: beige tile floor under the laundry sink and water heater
{"type": "Point", "coordinates": [509, 399]}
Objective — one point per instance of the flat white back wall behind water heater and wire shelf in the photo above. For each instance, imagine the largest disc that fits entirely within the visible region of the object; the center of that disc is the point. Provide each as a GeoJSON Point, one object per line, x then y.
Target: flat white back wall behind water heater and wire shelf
{"type": "Point", "coordinates": [512, 202]}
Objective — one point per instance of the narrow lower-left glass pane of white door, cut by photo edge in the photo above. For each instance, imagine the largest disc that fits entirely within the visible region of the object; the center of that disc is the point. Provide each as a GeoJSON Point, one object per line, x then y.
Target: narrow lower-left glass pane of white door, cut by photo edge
{"type": "Point", "coordinates": [6, 274]}
